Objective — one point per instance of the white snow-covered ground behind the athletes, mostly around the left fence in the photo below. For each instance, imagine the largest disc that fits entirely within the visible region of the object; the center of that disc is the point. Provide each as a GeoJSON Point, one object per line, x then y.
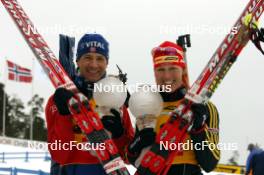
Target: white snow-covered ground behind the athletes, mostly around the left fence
{"type": "Point", "coordinates": [20, 147]}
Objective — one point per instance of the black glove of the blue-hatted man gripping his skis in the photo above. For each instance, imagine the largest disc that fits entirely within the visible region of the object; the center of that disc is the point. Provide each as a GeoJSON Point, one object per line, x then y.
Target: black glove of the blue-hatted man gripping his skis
{"type": "Point", "coordinates": [61, 98]}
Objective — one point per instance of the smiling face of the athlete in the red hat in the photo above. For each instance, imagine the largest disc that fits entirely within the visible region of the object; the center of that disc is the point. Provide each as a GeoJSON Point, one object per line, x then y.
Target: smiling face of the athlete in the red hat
{"type": "Point", "coordinates": [169, 75]}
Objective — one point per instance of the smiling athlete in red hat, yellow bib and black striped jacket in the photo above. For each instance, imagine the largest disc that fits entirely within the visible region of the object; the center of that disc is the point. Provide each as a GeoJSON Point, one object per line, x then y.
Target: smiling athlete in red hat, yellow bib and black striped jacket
{"type": "Point", "coordinates": [170, 69]}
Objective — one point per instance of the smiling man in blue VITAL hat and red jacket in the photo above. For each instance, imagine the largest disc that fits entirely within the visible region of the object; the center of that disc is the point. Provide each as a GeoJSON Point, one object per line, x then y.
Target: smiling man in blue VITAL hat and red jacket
{"type": "Point", "coordinates": [92, 60]}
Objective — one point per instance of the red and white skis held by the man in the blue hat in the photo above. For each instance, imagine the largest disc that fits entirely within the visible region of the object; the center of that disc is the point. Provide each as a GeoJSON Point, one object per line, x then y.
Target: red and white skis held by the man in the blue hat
{"type": "Point", "coordinates": [86, 118]}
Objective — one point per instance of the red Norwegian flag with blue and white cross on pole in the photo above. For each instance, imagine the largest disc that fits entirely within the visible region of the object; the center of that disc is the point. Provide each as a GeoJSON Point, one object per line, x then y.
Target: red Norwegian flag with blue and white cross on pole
{"type": "Point", "coordinates": [18, 73]}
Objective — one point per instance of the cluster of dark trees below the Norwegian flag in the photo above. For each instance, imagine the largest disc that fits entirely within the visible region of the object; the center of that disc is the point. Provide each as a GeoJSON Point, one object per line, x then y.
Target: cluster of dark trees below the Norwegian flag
{"type": "Point", "coordinates": [18, 122]}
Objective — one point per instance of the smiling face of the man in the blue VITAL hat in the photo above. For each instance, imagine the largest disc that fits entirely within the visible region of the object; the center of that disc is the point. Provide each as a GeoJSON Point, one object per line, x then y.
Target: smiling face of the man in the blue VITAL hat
{"type": "Point", "coordinates": [92, 66]}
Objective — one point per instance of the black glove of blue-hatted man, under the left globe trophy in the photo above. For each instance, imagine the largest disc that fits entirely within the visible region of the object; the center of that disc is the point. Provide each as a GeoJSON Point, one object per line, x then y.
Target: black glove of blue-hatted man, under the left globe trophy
{"type": "Point", "coordinates": [113, 123]}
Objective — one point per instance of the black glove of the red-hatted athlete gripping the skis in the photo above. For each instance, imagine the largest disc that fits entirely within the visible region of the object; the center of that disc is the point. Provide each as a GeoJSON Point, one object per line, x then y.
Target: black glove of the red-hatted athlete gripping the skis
{"type": "Point", "coordinates": [200, 115]}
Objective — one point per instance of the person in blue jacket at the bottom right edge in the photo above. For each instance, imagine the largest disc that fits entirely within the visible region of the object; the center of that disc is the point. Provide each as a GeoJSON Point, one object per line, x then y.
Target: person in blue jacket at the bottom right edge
{"type": "Point", "coordinates": [255, 160]}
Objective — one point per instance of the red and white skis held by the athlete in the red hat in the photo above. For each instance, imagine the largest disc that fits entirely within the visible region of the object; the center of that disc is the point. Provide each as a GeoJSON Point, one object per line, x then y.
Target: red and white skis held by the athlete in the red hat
{"type": "Point", "coordinates": [157, 161]}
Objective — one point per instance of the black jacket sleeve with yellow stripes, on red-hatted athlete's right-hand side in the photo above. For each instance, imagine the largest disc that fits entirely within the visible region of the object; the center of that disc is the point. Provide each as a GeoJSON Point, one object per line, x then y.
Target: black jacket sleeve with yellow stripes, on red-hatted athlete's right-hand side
{"type": "Point", "coordinates": [209, 156]}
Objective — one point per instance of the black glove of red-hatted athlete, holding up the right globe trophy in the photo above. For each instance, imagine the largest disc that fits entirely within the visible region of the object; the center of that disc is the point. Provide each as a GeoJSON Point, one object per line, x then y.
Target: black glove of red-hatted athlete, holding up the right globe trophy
{"type": "Point", "coordinates": [143, 139]}
